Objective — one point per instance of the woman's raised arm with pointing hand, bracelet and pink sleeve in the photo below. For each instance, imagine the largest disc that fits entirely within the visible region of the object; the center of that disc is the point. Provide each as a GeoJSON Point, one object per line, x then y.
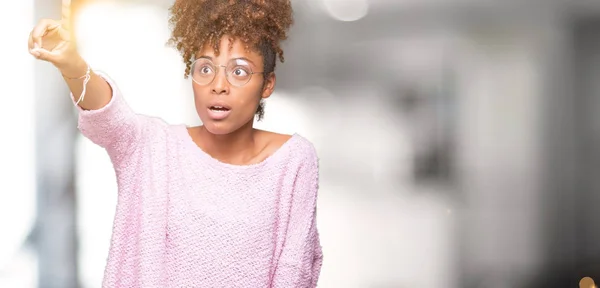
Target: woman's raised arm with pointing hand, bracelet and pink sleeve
{"type": "Point", "coordinates": [104, 117]}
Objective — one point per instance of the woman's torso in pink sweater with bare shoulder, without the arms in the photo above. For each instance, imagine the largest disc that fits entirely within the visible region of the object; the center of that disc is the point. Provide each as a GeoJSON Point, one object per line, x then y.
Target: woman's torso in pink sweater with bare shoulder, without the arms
{"type": "Point", "coordinates": [203, 223]}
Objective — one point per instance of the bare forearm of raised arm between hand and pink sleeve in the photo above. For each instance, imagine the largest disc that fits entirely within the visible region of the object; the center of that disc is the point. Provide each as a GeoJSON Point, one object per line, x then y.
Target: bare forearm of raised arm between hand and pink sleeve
{"type": "Point", "coordinates": [98, 92]}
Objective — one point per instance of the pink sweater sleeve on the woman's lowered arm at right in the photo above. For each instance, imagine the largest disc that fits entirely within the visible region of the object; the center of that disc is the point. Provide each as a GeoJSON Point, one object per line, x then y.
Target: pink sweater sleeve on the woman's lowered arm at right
{"type": "Point", "coordinates": [301, 259]}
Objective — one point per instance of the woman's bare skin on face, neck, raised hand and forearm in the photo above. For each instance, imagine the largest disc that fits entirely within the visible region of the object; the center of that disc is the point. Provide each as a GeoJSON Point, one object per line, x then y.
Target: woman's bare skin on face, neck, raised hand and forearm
{"type": "Point", "coordinates": [232, 140]}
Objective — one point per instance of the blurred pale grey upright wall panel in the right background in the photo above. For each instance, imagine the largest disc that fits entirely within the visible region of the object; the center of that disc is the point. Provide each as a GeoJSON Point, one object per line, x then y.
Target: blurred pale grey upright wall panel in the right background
{"type": "Point", "coordinates": [499, 150]}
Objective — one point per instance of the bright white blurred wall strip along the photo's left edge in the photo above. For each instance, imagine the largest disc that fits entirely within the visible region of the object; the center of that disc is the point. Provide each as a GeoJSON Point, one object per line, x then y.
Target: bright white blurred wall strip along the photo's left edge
{"type": "Point", "coordinates": [17, 151]}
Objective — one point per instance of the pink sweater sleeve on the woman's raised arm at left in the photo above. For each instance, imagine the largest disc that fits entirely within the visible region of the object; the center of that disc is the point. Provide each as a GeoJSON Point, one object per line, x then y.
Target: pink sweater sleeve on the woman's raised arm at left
{"type": "Point", "coordinates": [114, 127]}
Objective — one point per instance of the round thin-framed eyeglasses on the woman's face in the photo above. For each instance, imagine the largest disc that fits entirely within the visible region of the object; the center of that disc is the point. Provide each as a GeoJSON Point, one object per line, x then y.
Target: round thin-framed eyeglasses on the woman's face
{"type": "Point", "coordinates": [238, 72]}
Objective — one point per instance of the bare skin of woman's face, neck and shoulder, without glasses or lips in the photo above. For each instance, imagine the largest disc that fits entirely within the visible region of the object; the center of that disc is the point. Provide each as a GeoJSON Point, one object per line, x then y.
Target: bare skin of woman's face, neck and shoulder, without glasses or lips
{"type": "Point", "coordinates": [233, 140]}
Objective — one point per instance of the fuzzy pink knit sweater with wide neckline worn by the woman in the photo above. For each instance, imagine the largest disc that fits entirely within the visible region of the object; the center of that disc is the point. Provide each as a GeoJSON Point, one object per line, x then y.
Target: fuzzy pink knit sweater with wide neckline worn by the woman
{"type": "Point", "coordinates": [185, 219]}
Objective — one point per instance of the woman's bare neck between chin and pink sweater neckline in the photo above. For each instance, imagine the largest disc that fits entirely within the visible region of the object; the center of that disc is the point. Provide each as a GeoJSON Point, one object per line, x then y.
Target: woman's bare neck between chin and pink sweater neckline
{"type": "Point", "coordinates": [235, 148]}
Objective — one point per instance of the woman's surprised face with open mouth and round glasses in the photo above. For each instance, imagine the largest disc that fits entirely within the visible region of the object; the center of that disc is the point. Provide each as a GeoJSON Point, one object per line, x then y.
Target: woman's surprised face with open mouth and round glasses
{"type": "Point", "coordinates": [222, 106]}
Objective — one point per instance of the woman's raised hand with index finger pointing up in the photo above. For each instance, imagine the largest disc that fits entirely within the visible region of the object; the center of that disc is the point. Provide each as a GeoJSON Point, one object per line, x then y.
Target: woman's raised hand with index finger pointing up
{"type": "Point", "coordinates": [50, 41]}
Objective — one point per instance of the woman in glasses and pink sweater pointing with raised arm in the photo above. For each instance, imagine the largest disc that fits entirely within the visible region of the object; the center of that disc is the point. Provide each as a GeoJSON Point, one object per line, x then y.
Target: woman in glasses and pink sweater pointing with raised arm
{"type": "Point", "coordinates": [219, 205]}
